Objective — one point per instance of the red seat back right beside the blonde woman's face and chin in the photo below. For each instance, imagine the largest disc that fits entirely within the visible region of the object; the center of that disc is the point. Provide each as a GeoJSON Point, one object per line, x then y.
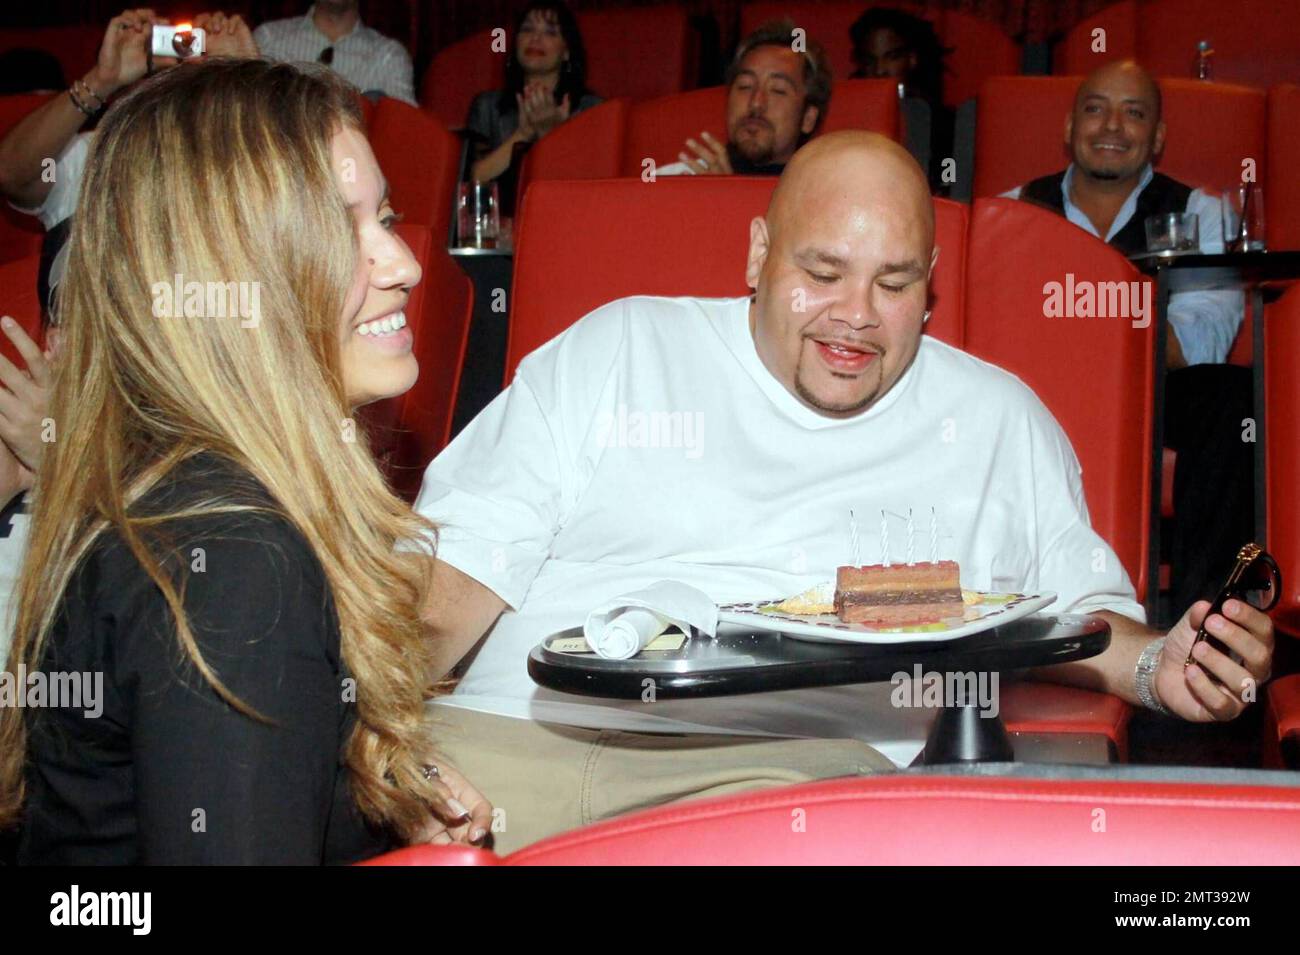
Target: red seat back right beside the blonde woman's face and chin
{"type": "Point", "coordinates": [409, 431]}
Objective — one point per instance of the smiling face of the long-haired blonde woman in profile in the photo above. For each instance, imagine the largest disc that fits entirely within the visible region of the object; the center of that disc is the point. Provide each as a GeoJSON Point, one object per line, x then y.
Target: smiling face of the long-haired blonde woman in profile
{"type": "Point", "coordinates": [375, 341]}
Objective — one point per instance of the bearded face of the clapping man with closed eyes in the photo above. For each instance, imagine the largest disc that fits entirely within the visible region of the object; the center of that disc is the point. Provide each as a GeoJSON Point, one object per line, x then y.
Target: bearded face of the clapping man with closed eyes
{"type": "Point", "coordinates": [766, 106]}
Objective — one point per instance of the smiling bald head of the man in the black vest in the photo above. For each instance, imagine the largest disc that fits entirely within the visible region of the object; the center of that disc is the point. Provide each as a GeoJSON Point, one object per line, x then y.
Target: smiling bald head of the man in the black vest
{"type": "Point", "coordinates": [1115, 129]}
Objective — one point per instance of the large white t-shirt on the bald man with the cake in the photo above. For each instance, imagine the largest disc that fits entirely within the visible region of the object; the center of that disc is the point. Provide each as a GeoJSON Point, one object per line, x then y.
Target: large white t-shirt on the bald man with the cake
{"type": "Point", "coordinates": [578, 485]}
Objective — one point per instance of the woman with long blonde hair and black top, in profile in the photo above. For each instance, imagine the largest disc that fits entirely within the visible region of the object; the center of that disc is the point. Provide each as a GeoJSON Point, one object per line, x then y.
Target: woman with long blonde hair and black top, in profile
{"type": "Point", "coordinates": [213, 544]}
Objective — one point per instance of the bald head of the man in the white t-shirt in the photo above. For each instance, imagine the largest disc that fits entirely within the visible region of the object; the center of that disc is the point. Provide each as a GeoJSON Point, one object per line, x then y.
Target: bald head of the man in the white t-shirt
{"type": "Point", "coordinates": [840, 267]}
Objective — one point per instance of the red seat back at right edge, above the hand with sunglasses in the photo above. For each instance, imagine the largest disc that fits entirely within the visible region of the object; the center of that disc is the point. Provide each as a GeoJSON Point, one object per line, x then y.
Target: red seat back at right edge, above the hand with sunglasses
{"type": "Point", "coordinates": [1282, 446]}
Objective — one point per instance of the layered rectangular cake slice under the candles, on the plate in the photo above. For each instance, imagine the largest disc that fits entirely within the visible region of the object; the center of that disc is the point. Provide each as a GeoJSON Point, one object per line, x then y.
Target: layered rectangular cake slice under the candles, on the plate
{"type": "Point", "coordinates": [899, 594]}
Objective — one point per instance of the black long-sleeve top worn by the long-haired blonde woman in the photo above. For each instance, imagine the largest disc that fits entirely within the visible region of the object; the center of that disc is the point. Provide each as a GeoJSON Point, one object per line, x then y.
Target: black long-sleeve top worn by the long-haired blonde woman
{"type": "Point", "coordinates": [170, 772]}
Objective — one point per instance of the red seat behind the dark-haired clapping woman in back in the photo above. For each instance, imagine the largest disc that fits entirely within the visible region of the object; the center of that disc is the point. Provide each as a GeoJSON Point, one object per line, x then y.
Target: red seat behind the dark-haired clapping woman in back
{"type": "Point", "coordinates": [634, 53]}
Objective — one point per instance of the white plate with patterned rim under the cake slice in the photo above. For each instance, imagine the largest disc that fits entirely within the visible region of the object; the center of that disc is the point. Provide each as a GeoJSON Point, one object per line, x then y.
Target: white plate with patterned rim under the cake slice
{"type": "Point", "coordinates": [827, 628]}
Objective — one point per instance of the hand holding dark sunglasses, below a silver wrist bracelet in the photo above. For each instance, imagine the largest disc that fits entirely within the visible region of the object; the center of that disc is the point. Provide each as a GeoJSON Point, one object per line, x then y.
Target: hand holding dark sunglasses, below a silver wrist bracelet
{"type": "Point", "coordinates": [1191, 693]}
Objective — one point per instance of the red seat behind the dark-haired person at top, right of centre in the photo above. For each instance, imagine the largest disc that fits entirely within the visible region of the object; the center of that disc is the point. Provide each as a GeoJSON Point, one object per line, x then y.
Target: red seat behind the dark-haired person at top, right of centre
{"type": "Point", "coordinates": [981, 49]}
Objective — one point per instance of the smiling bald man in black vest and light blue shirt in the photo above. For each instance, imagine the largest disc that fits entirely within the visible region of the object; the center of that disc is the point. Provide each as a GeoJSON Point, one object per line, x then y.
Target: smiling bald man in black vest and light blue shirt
{"type": "Point", "coordinates": [1115, 132]}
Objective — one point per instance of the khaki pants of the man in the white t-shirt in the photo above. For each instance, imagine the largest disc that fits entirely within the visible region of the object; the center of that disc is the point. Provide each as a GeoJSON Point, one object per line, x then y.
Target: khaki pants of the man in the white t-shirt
{"type": "Point", "coordinates": [545, 779]}
